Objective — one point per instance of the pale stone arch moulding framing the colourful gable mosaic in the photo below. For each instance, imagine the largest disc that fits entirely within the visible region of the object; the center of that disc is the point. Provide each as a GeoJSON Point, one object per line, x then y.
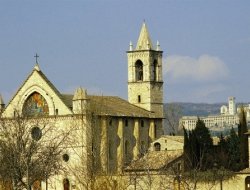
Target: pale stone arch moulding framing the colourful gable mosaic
{"type": "Point", "coordinates": [43, 93]}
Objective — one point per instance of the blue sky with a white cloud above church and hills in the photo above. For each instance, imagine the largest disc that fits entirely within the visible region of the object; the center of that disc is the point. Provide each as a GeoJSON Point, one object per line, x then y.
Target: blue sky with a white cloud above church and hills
{"type": "Point", "coordinates": [206, 45]}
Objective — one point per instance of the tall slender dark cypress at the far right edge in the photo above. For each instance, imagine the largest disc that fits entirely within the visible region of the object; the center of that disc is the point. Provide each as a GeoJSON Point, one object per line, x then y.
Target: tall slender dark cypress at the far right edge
{"type": "Point", "coordinates": [242, 130]}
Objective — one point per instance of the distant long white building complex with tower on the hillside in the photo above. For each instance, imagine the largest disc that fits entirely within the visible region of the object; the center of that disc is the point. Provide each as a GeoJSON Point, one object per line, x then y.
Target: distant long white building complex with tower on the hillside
{"type": "Point", "coordinates": [228, 117]}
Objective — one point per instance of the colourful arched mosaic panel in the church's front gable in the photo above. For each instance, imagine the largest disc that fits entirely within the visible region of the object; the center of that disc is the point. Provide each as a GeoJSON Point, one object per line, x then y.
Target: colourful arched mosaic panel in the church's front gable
{"type": "Point", "coordinates": [35, 105]}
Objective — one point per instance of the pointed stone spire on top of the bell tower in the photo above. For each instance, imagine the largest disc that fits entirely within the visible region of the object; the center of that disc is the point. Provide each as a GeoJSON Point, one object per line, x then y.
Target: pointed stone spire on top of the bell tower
{"type": "Point", "coordinates": [144, 42]}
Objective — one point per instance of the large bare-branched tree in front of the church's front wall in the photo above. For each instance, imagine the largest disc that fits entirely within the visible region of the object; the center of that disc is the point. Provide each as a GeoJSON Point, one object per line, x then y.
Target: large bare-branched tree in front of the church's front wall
{"type": "Point", "coordinates": [30, 150]}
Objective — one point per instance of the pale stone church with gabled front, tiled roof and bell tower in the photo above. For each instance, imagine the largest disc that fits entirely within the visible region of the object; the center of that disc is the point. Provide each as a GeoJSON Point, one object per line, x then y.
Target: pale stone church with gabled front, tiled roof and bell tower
{"type": "Point", "coordinates": [111, 132]}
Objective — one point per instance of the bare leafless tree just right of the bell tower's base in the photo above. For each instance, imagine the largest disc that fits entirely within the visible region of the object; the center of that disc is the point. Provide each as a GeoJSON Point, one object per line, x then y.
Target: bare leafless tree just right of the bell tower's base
{"type": "Point", "coordinates": [173, 113]}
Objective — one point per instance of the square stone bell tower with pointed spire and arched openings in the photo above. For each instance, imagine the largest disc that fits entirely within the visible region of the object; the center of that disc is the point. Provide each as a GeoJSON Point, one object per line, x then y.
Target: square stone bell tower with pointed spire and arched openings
{"type": "Point", "coordinates": [145, 83]}
